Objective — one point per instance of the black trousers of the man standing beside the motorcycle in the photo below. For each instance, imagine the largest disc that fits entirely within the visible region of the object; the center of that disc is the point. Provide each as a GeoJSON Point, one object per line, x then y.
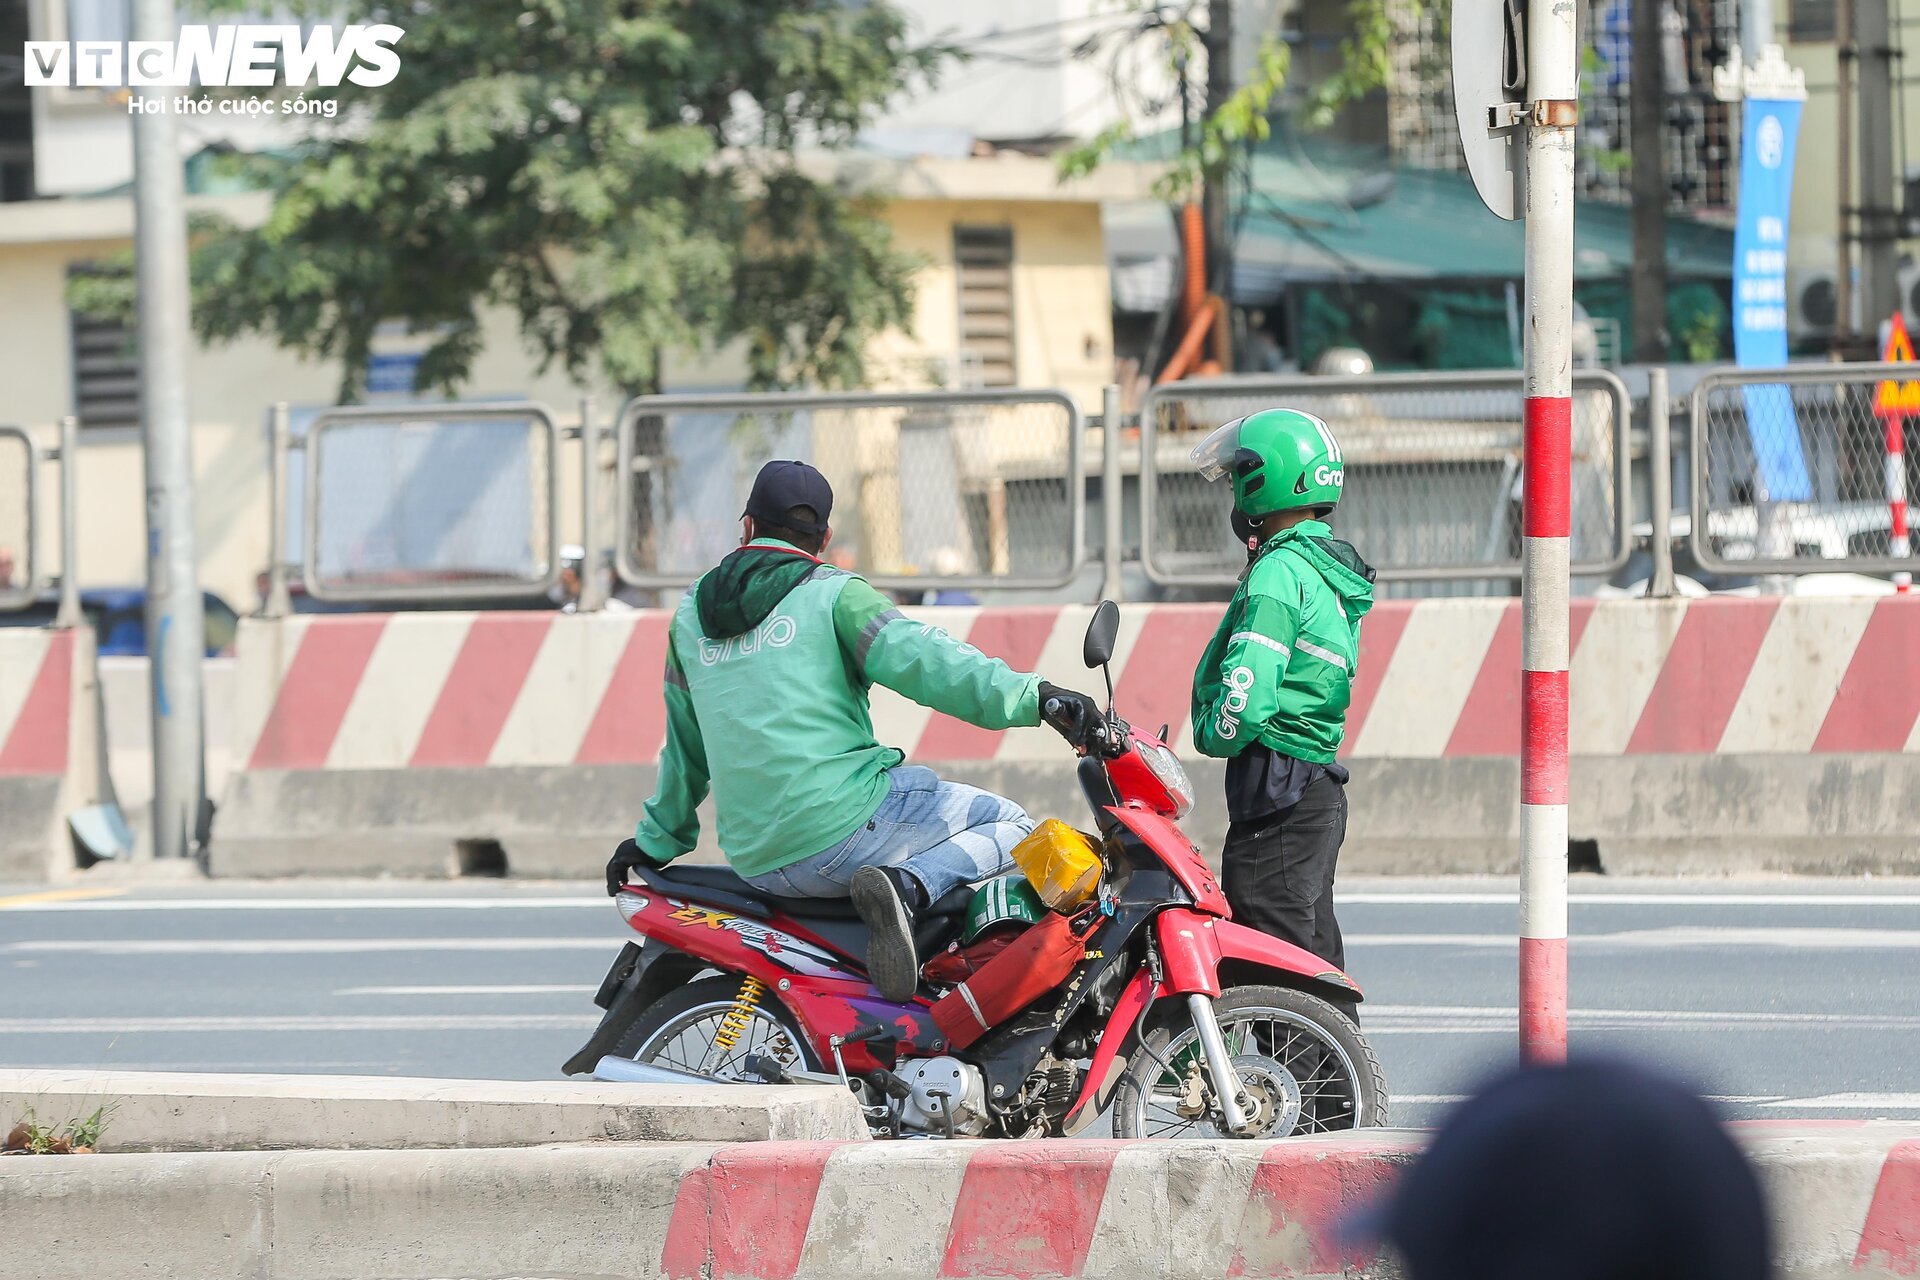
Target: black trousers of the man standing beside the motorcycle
{"type": "Point", "coordinates": [1278, 872]}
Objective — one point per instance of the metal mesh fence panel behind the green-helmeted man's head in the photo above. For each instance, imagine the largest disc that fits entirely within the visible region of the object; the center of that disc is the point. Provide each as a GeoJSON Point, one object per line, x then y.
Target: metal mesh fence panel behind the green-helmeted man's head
{"type": "Point", "coordinates": [1433, 473]}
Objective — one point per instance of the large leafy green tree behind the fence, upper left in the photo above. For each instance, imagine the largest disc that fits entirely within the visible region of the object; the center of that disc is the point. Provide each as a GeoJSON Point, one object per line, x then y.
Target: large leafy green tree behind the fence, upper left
{"type": "Point", "coordinates": [619, 174]}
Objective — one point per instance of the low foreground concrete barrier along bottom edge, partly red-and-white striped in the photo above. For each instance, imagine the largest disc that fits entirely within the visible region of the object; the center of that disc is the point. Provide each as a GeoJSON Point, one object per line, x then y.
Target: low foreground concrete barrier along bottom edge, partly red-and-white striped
{"type": "Point", "coordinates": [1846, 1202]}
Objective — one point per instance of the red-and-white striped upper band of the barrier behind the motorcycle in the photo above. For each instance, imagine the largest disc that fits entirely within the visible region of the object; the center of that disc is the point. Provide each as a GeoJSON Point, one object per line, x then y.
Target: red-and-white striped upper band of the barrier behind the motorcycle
{"type": "Point", "coordinates": [1437, 680]}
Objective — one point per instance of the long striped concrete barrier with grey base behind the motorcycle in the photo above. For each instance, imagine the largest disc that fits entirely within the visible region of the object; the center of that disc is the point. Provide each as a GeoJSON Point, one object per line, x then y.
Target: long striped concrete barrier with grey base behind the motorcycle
{"type": "Point", "coordinates": [1710, 736]}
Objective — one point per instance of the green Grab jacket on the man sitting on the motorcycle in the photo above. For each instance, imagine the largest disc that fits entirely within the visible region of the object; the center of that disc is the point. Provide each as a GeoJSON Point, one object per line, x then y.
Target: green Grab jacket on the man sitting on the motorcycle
{"type": "Point", "coordinates": [769, 665]}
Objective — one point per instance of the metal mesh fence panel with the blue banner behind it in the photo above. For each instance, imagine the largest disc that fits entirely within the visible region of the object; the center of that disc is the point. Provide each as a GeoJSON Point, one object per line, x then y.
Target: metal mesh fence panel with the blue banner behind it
{"type": "Point", "coordinates": [1794, 471]}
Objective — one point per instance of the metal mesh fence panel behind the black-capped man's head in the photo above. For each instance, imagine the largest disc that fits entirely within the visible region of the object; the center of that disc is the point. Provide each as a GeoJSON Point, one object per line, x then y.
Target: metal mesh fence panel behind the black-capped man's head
{"type": "Point", "coordinates": [938, 490]}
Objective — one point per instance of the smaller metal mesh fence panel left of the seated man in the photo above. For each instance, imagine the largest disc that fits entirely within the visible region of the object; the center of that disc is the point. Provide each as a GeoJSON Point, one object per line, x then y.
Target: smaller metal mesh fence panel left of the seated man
{"type": "Point", "coordinates": [431, 504]}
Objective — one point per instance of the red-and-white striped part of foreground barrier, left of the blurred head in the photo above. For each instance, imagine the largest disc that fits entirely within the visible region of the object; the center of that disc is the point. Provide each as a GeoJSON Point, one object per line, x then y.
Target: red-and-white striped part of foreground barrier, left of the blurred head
{"type": "Point", "coordinates": [1026, 1210]}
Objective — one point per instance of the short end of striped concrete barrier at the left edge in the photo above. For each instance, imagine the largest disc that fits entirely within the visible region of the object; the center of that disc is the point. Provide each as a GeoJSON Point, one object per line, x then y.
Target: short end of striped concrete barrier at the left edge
{"type": "Point", "coordinates": [53, 759]}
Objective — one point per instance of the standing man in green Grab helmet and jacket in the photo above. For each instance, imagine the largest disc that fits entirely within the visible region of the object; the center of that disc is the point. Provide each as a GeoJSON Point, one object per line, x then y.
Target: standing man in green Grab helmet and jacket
{"type": "Point", "coordinates": [1276, 682]}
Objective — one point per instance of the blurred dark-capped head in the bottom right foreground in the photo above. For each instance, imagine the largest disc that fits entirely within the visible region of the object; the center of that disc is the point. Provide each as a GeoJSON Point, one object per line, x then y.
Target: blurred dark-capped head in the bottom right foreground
{"type": "Point", "coordinates": [1589, 1172]}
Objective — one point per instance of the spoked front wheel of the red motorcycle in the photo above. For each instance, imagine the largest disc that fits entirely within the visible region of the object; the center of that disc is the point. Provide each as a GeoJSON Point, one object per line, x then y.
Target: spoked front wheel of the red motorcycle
{"type": "Point", "coordinates": [1305, 1066]}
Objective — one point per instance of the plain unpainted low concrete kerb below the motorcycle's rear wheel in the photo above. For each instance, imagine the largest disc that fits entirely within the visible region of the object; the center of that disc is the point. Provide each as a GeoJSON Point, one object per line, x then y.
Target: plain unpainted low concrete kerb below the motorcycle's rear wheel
{"type": "Point", "coordinates": [180, 1112]}
